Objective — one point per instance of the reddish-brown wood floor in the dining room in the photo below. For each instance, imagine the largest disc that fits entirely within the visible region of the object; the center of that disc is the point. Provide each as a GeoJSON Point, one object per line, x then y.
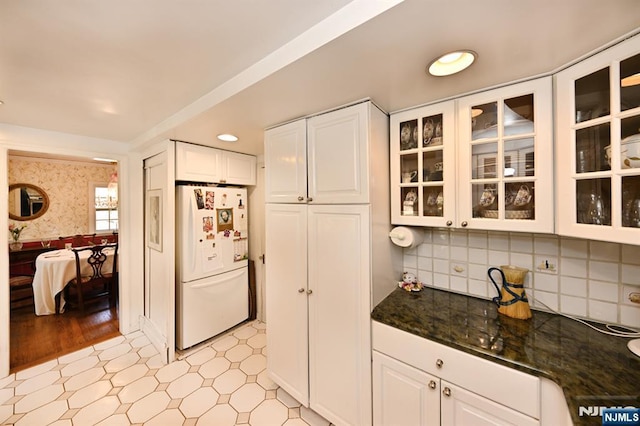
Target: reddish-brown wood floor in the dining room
{"type": "Point", "coordinates": [36, 339]}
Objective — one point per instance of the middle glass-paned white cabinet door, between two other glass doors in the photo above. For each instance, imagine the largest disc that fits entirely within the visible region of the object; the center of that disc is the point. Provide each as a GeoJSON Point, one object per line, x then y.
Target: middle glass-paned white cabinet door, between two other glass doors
{"type": "Point", "coordinates": [505, 158]}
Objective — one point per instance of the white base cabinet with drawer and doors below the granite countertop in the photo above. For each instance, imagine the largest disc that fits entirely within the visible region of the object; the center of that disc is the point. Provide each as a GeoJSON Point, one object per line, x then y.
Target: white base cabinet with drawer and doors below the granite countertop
{"type": "Point", "coordinates": [471, 390]}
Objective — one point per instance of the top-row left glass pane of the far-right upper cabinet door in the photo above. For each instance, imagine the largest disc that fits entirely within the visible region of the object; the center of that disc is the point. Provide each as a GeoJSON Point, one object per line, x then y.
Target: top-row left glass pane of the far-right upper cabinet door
{"type": "Point", "coordinates": [592, 94]}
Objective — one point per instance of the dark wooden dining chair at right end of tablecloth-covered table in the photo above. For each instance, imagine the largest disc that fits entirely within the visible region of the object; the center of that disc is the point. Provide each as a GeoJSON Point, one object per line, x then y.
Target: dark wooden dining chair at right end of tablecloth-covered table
{"type": "Point", "coordinates": [98, 282]}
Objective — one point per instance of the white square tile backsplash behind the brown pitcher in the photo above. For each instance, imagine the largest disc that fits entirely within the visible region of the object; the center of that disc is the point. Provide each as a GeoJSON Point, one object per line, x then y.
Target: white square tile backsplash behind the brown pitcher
{"type": "Point", "coordinates": [583, 278]}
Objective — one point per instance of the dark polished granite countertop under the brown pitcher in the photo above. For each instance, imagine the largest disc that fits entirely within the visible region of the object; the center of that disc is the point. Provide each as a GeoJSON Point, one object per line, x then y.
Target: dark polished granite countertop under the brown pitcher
{"type": "Point", "coordinates": [593, 369]}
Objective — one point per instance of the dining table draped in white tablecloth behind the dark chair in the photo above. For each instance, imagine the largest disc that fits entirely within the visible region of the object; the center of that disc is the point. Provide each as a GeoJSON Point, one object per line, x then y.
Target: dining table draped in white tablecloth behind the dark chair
{"type": "Point", "coordinates": [54, 270]}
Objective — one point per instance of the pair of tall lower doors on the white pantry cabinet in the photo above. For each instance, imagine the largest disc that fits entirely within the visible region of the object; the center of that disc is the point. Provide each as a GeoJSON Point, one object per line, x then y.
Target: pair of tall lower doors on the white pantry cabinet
{"type": "Point", "coordinates": [318, 306]}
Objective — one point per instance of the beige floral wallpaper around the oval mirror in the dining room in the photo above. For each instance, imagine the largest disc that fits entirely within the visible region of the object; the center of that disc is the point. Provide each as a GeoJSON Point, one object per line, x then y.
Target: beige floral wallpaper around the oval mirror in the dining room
{"type": "Point", "coordinates": [67, 185]}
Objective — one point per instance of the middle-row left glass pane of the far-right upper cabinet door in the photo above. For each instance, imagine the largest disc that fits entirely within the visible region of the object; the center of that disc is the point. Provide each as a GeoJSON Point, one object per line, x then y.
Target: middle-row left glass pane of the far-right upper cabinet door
{"type": "Point", "coordinates": [593, 146]}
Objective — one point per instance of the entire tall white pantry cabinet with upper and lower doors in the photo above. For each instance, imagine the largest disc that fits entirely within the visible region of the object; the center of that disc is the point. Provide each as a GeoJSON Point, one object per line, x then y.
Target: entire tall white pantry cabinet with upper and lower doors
{"type": "Point", "coordinates": [328, 262]}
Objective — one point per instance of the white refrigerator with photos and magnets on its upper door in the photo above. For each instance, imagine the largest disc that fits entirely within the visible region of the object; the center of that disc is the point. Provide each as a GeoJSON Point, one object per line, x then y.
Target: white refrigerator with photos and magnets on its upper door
{"type": "Point", "coordinates": [212, 284]}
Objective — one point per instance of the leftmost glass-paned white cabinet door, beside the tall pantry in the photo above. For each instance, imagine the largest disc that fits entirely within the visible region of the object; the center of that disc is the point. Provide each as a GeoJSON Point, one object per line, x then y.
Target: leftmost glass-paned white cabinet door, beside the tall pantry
{"type": "Point", "coordinates": [423, 166]}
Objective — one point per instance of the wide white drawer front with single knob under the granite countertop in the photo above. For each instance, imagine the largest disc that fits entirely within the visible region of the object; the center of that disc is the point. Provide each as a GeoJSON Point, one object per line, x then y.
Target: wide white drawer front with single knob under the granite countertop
{"type": "Point", "coordinates": [501, 384]}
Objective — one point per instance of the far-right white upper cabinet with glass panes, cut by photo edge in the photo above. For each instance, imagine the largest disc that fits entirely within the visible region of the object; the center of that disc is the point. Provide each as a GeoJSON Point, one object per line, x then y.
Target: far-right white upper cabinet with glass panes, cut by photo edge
{"type": "Point", "coordinates": [598, 146]}
